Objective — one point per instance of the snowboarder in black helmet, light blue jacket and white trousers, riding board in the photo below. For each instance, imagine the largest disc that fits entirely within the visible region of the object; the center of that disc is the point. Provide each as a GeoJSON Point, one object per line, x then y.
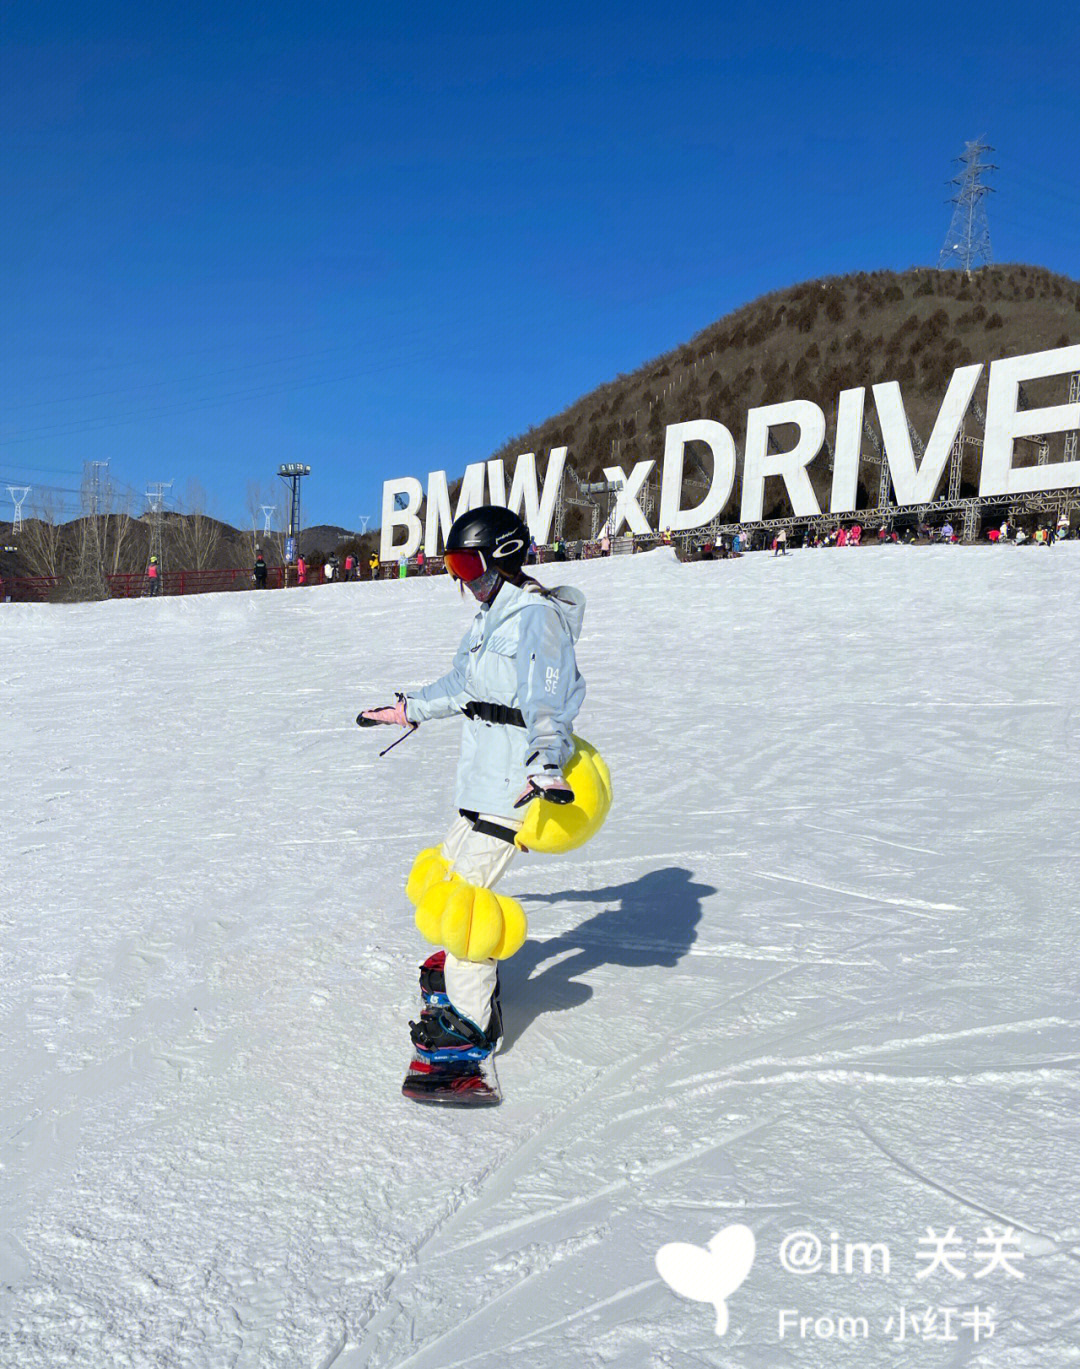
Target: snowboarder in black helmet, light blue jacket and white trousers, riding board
{"type": "Point", "coordinates": [517, 681]}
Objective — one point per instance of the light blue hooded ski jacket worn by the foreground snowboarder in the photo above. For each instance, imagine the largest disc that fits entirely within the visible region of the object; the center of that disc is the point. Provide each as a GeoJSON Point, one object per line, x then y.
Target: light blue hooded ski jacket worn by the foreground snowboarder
{"type": "Point", "coordinates": [519, 652]}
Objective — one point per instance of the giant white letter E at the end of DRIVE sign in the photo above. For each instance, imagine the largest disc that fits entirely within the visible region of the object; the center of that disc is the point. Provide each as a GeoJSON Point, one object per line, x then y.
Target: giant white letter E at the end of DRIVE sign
{"type": "Point", "coordinates": [1005, 424]}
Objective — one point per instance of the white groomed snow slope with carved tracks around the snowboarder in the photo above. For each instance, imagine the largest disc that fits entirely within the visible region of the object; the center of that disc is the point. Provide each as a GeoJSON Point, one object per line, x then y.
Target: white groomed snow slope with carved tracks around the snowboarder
{"type": "Point", "coordinates": [818, 974]}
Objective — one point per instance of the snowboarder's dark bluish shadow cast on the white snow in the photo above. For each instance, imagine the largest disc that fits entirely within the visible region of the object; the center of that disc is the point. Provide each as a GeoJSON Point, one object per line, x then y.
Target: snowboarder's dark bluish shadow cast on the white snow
{"type": "Point", "coordinates": [654, 923]}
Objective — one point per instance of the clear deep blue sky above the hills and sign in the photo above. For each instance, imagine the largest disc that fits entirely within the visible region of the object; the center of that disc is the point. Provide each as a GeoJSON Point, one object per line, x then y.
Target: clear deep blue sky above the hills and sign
{"type": "Point", "coordinates": [388, 243]}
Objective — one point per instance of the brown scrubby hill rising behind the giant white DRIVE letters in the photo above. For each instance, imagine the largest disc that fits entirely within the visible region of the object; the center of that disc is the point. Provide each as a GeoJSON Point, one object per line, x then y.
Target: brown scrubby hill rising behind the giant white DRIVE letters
{"type": "Point", "coordinates": [812, 342]}
